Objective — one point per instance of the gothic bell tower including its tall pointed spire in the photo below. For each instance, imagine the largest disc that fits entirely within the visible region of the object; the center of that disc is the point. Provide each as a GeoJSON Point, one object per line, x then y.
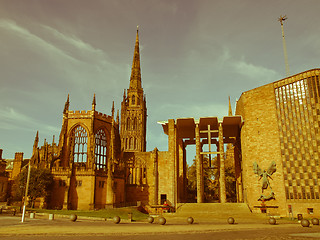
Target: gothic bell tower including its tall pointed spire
{"type": "Point", "coordinates": [134, 110]}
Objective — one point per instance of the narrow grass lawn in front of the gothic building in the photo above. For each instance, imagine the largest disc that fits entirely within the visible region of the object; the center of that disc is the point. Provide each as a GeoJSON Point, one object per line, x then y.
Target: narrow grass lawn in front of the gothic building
{"type": "Point", "coordinates": [103, 213]}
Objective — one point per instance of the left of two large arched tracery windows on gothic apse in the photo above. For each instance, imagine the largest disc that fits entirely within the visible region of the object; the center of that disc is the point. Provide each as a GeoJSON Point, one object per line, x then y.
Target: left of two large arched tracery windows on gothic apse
{"type": "Point", "coordinates": [80, 138]}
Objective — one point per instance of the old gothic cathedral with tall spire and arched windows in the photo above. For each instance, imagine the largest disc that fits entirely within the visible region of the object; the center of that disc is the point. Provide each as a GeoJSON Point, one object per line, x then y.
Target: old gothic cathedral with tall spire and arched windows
{"type": "Point", "coordinates": [101, 160]}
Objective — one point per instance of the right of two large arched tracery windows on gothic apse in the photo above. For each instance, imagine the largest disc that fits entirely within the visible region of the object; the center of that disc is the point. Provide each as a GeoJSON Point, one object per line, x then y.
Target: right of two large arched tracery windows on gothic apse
{"type": "Point", "coordinates": [101, 149]}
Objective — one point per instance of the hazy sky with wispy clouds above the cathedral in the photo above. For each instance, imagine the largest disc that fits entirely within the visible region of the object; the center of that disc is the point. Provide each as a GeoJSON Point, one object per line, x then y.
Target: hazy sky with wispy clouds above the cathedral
{"type": "Point", "coordinates": [194, 54]}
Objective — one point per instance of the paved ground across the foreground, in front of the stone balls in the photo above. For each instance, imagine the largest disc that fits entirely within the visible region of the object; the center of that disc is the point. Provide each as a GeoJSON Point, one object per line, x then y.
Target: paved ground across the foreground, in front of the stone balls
{"type": "Point", "coordinates": [41, 225]}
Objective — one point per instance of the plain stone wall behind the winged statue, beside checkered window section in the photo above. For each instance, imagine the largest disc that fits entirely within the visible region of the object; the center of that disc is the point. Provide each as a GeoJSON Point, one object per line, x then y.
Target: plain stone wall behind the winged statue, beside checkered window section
{"type": "Point", "coordinates": [260, 143]}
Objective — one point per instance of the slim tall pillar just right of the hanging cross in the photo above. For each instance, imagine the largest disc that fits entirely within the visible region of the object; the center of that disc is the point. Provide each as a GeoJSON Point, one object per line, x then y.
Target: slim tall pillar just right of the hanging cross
{"type": "Point", "coordinates": [222, 179]}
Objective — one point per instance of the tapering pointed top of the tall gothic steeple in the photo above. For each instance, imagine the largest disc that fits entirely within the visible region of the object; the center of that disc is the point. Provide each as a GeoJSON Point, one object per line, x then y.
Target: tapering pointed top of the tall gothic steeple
{"type": "Point", "coordinates": [135, 79]}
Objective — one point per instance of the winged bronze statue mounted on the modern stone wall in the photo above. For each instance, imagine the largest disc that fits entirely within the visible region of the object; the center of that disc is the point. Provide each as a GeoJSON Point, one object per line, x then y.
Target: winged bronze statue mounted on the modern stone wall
{"type": "Point", "coordinates": [265, 175]}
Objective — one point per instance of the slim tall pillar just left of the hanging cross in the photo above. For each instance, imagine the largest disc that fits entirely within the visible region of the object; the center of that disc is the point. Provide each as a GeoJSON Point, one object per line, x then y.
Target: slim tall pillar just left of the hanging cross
{"type": "Point", "coordinates": [199, 166]}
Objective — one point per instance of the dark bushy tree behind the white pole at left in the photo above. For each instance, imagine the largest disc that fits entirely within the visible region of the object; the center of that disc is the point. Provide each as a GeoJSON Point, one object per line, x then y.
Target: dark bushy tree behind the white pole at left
{"type": "Point", "coordinates": [41, 182]}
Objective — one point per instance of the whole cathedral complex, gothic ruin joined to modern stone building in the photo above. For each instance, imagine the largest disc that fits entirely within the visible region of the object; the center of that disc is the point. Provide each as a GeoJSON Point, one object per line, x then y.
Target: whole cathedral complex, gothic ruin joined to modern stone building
{"type": "Point", "coordinates": [101, 160]}
